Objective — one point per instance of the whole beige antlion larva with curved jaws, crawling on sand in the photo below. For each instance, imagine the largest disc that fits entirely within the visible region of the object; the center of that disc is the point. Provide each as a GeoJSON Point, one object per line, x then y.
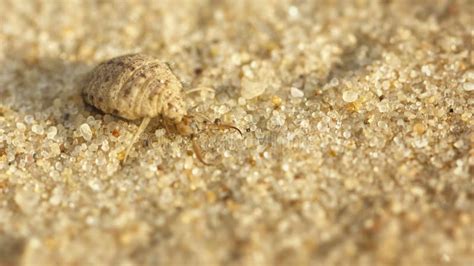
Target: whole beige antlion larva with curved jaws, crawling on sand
{"type": "Point", "coordinates": [137, 86]}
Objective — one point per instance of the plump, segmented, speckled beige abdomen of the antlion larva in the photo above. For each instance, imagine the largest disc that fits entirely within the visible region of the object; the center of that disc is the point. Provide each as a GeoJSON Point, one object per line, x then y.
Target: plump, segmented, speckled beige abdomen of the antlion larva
{"type": "Point", "coordinates": [131, 86]}
